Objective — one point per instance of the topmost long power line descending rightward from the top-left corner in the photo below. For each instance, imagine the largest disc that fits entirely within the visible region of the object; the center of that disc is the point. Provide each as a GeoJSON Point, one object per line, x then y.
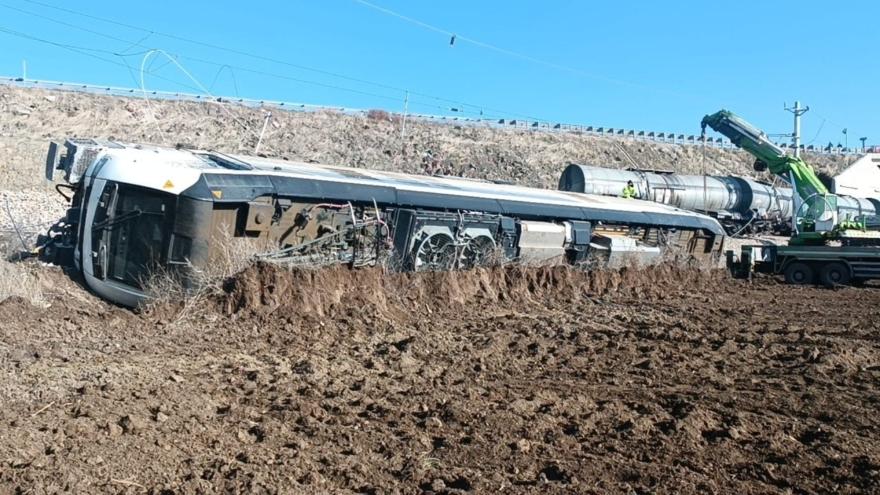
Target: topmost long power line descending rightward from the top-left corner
{"type": "Point", "coordinates": [213, 46]}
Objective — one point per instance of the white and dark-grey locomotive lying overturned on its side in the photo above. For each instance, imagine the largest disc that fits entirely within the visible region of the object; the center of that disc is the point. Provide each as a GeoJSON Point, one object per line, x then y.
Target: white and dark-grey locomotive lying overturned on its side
{"type": "Point", "coordinates": [138, 207]}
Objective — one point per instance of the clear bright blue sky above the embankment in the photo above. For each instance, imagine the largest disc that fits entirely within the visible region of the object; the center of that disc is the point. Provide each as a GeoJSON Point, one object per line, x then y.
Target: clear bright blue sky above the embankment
{"type": "Point", "coordinates": [644, 65]}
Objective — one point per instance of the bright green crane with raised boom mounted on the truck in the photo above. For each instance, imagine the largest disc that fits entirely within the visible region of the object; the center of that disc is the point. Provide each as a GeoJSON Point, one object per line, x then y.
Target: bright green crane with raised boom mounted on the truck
{"type": "Point", "coordinates": [815, 221]}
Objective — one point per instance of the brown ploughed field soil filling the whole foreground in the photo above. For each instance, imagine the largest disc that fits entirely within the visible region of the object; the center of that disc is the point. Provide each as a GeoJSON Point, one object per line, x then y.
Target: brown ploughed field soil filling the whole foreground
{"type": "Point", "coordinates": [664, 380]}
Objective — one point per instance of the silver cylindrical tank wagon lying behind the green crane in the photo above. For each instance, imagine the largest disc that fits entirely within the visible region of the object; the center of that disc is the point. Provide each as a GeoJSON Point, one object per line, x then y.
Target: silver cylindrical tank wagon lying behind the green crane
{"type": "Point", "coordinates": [740, 204]}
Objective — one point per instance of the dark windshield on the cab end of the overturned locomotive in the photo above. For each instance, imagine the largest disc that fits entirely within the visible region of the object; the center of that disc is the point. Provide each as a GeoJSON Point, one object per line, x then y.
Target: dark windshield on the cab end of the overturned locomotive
{"type": "Point", "coordinates": [137, 233]}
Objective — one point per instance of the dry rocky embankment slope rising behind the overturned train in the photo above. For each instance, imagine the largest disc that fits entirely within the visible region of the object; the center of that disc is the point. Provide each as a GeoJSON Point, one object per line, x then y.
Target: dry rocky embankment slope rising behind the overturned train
{"type": "Point", "coordinates": [29, 118]}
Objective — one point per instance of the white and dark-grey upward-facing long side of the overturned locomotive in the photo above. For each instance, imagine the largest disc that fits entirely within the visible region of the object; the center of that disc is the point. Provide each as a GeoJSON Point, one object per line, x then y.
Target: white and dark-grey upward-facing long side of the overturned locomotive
{"type": "Point", "coordinates": [234, 178]}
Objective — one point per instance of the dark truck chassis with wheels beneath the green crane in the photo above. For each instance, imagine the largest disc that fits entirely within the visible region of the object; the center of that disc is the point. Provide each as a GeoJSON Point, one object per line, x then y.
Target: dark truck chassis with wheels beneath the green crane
{"type": "Point", "coordinates": [802, 265]}
